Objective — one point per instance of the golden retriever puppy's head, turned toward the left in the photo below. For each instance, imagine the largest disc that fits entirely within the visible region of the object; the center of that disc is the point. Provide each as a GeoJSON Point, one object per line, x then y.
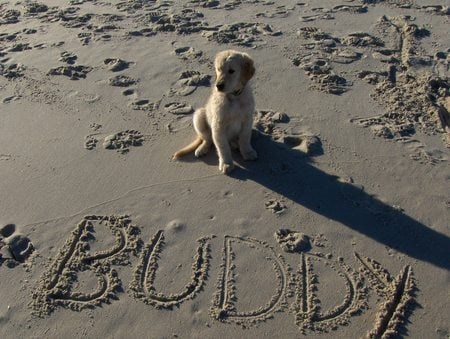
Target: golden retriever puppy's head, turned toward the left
{"type": "Point", "coordinates": [233, 70]}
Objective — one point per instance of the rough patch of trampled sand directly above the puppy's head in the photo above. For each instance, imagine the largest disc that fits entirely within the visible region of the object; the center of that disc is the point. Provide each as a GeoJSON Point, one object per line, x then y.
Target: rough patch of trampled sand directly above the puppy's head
{"type": "Point", "coordinates": [243, 34]}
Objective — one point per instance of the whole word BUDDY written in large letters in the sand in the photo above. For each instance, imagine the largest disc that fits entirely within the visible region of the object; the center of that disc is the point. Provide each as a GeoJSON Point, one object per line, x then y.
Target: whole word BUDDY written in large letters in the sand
{"type": "Point", "coordinates": [295, 292]}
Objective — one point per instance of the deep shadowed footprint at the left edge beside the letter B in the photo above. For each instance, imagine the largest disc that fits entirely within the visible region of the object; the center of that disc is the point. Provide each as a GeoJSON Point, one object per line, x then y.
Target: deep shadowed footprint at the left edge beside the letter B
{"type": "Point", "coordinates": [14, 248]}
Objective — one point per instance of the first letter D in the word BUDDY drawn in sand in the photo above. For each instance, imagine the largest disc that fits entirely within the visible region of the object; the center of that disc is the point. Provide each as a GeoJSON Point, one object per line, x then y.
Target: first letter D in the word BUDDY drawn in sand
{"type": "Point", "coordinates": [224, 302]}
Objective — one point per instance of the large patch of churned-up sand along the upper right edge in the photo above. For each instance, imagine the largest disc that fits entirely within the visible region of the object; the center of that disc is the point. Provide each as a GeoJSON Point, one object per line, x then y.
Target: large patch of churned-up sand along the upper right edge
{"type": "Point", "coordinates": [413, 94]}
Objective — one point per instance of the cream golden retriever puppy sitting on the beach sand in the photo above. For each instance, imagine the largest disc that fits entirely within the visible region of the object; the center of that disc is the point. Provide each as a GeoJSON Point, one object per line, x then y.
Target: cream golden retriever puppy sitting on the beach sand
{"type": "Point", "coordinates": [228, 114]}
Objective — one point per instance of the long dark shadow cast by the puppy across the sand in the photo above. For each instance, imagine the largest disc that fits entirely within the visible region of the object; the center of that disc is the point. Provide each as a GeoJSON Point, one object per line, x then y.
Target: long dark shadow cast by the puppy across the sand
{"type": "Point", "coordinates": [288, 172]}
